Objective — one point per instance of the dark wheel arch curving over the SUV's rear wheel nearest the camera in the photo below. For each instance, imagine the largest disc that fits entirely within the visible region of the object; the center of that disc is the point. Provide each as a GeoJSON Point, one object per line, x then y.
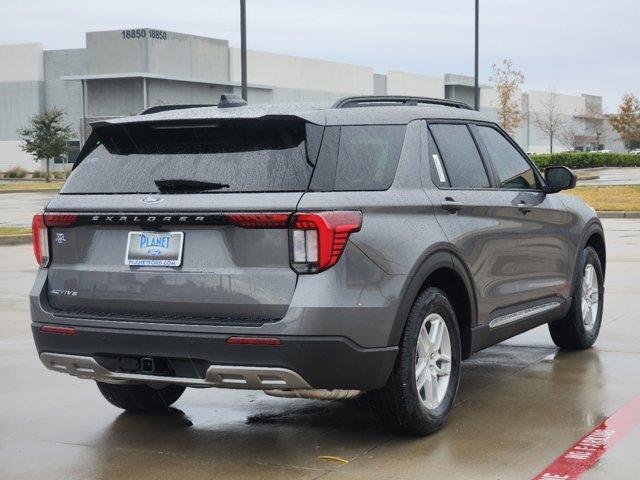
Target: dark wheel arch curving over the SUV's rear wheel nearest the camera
{"type": "Point", "coordinates": [444, 270]}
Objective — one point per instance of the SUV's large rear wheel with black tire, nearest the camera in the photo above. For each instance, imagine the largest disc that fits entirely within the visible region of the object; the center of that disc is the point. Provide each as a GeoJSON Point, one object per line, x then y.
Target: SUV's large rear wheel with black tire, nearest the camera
{"type": "Point", "coordinates": [400, 404]}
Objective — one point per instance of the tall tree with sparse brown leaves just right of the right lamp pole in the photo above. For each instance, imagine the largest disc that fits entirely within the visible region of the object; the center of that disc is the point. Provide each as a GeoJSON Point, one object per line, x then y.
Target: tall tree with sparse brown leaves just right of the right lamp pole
{"type": "Point", "coordinates": [507, 80]}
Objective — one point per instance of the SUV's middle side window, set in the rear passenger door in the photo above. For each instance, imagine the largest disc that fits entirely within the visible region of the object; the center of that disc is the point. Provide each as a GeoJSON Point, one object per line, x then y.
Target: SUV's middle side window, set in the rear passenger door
{"type": "Point", "coordinates": [459, 156]}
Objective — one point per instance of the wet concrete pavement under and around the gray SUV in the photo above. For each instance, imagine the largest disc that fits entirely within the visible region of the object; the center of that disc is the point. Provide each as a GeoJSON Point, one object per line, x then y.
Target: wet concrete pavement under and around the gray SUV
{"type": "Point", "coordinates": [520, 405]}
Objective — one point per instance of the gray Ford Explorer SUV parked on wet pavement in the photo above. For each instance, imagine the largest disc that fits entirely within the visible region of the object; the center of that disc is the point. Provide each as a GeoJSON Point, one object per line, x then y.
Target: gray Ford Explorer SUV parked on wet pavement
{"type": "Point", "coordinates": [363, 248]}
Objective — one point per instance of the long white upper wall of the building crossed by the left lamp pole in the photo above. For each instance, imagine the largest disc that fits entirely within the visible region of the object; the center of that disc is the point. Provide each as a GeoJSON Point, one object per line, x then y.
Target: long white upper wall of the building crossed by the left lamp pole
{"type": "Point", "coordinates": [299, 73]}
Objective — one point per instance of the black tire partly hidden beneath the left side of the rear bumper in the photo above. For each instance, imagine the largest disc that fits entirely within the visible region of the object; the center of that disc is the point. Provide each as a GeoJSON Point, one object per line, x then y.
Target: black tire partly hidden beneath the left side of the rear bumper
{"type": "Point", "coordinates": [140, 398]}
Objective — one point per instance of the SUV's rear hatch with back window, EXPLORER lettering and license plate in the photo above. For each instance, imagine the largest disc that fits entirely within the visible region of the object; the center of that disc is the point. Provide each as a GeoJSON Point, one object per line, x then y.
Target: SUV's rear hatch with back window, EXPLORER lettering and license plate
{"type": "Point", "coordinates": [159, 222]}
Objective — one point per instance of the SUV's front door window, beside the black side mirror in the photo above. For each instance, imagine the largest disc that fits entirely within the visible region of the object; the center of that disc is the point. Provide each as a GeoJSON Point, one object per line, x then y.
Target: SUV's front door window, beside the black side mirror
{"type": "Point", "coordinates": [513, 171]}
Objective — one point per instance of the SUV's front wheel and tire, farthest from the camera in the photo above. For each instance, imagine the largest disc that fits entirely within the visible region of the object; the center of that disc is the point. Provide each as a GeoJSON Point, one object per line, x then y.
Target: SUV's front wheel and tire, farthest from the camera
{"type": "Point", "coordinates": [579, 329]}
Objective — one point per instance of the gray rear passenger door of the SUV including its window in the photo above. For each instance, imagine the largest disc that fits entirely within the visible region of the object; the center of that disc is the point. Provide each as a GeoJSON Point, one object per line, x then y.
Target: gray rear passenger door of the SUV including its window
{"type": "Point", "coordinates": [481, 222]}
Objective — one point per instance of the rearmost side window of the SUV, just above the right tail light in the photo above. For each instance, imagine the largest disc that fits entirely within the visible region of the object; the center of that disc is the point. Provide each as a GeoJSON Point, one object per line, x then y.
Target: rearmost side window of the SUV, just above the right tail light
{"type": "Point", "coordinates": [368, 156]}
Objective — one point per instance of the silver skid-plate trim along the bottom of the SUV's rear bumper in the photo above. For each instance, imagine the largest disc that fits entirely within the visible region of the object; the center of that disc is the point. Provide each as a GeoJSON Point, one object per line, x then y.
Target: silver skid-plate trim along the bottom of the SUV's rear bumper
{"type": "Point", "coordinates": [222, 376]}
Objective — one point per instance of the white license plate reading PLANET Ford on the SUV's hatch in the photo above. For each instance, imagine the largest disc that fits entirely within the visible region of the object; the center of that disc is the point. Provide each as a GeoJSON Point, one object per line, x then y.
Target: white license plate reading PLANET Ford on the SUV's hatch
{"type": "Point", "coordinates": [154, 249]}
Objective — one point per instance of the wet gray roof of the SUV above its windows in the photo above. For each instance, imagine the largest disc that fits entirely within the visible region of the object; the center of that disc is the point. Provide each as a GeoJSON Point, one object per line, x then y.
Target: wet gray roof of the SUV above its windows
{"type": "Point", "coordinates": [318, 113]}
